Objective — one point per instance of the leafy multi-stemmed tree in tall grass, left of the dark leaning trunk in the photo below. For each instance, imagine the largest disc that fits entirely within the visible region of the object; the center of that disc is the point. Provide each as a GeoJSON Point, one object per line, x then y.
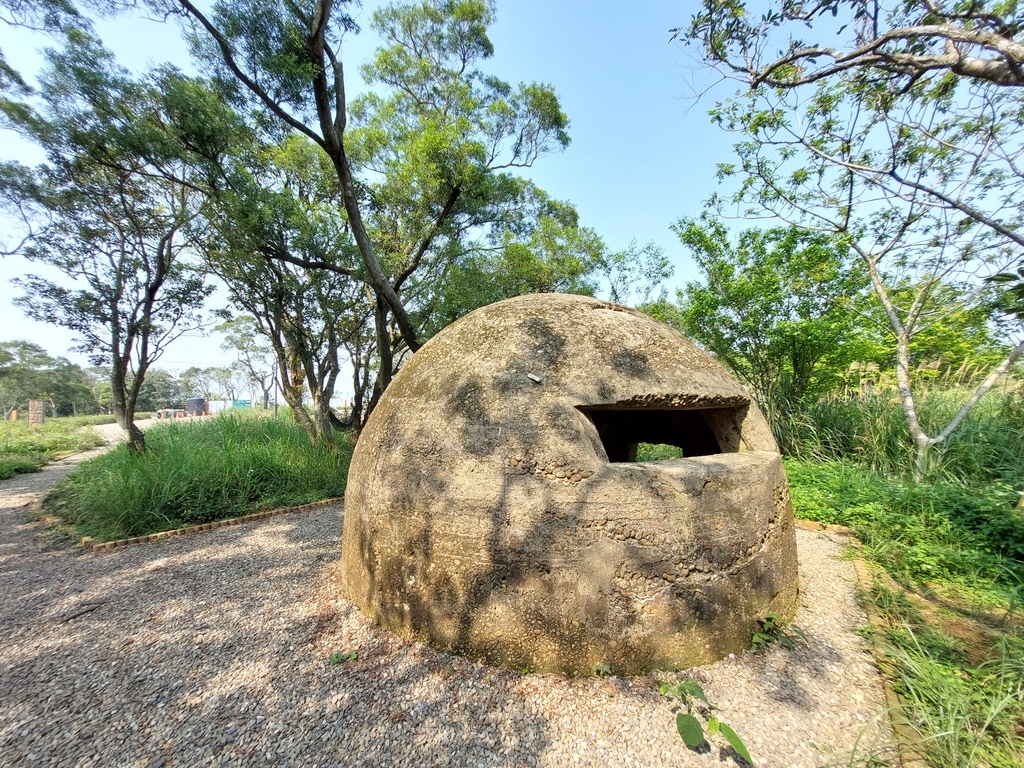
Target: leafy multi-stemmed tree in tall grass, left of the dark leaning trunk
{"type": "Point", "coordinates": [272, 212]}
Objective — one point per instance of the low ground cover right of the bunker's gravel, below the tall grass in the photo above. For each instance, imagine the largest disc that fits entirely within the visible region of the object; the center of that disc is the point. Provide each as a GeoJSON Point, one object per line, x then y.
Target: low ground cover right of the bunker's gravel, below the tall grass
{"type": "Point", "coordinates": [950, 591]}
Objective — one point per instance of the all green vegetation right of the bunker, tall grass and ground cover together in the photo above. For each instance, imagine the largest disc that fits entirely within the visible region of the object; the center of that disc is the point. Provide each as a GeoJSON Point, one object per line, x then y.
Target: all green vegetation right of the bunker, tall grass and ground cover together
{"type": "Point", "coordinates": [950, 558]}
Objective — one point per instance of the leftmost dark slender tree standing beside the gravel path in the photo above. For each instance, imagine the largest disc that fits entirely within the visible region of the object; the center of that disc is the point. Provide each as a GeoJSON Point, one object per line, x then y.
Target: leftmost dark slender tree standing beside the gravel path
{"type": "Point", "coordinates": [115, 217]}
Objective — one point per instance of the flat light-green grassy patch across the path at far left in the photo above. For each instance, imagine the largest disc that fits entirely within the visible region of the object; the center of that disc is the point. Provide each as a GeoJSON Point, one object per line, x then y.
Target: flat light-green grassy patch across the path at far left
{"type": "Point", "coordinates": [26, 449]}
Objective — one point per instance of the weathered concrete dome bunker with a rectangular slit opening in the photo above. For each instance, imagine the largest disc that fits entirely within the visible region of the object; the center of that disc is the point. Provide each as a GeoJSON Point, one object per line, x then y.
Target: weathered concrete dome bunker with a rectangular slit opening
{"type": "Point", "coordinates": [495, 508]}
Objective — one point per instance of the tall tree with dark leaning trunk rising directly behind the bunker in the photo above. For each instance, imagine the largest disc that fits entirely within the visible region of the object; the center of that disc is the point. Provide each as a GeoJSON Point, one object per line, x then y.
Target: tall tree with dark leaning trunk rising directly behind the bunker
{"type": "Point", "coordinates": [428, 161]}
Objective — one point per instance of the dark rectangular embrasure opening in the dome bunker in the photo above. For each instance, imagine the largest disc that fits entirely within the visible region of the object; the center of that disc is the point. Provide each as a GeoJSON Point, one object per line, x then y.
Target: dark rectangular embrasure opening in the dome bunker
{"type": "Point", "coordinates": [622, 430]}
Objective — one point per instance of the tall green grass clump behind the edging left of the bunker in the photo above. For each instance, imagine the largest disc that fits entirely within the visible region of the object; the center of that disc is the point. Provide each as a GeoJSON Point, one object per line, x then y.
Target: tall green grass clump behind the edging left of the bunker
{"type": "Point", "coordinates": [198, 473]}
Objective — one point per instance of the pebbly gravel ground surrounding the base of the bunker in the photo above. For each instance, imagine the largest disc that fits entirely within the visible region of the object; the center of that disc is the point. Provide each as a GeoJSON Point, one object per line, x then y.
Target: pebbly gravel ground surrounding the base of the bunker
{"type": "Point", "coordinates": [214, 650]}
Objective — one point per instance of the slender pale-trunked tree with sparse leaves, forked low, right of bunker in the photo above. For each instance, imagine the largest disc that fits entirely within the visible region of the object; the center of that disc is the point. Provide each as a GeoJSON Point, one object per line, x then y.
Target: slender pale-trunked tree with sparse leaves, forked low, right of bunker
{"type": "Point", "coordinates": [907, 146]}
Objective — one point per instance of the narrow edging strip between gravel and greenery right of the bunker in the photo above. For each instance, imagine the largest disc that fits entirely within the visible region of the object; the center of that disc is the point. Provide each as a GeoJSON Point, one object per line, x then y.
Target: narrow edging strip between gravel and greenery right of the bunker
{"type": "Point", "coordinates": [906, 736]}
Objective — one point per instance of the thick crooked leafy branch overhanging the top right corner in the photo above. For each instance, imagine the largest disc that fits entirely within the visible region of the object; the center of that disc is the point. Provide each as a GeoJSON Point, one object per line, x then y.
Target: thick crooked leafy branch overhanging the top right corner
{"type": "Point", "coordinates": [903, 41]}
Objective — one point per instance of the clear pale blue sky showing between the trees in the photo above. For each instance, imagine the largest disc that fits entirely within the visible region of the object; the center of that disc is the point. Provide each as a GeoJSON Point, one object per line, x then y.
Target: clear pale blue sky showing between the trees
{"type": "Point", "coordinates": [644, 150]}
